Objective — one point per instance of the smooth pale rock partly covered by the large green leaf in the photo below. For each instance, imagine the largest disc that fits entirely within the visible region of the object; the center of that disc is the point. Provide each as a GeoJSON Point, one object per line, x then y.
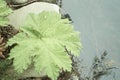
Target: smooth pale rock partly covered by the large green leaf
{"type": "Point", "coordinates": [17, 18]}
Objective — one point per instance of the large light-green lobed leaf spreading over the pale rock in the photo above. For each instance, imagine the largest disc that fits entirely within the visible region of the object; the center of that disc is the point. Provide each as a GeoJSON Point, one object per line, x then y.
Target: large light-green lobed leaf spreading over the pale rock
{"type": "Point", "coordinates": [43, 40]}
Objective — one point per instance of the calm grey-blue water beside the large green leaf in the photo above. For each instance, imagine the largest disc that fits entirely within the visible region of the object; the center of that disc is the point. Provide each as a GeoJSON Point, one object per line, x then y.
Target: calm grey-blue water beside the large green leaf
{"type": "Point", "coordinates": [99, 24]}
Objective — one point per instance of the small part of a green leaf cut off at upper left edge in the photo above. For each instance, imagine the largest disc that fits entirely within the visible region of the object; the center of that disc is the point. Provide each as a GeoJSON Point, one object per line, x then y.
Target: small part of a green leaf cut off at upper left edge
{"type": "Point", "coordinates": [4, 11]}
